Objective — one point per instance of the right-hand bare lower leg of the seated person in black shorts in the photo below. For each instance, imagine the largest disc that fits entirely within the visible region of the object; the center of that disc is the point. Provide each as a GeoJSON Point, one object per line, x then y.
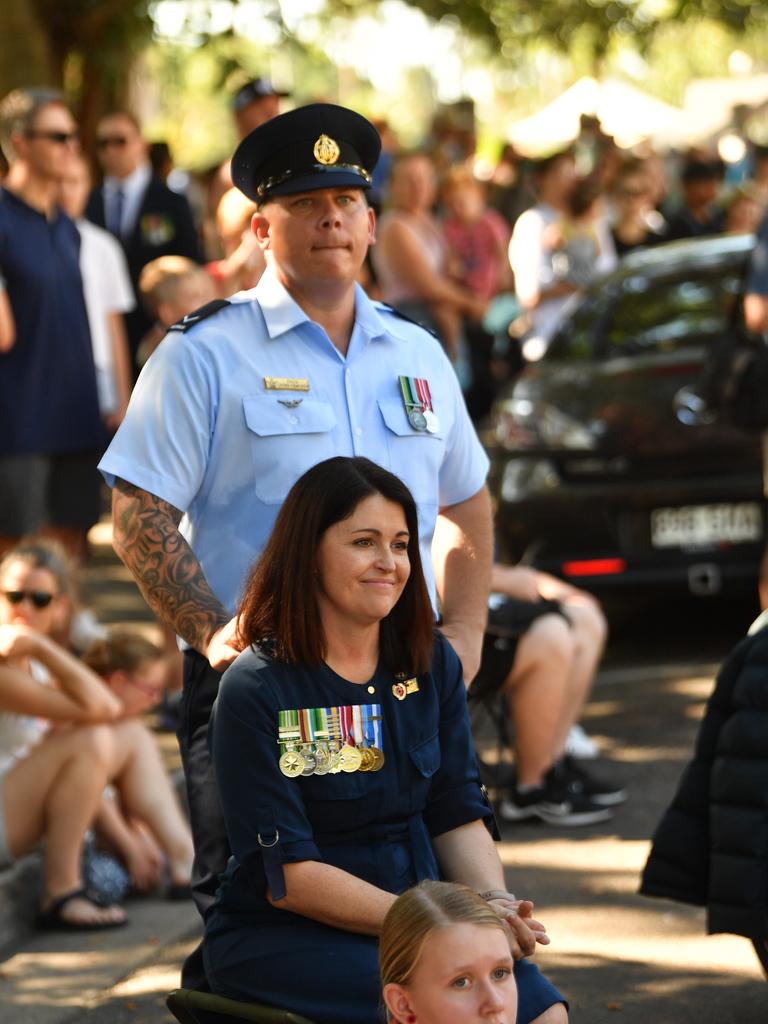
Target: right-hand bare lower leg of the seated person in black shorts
{"type": "Point", "coordinates": [589, 631]}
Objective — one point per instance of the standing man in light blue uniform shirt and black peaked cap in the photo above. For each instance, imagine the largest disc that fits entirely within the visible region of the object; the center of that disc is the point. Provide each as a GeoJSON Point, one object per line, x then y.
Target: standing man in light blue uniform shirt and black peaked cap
{"type": "Point", "coordinates": [245, 397]}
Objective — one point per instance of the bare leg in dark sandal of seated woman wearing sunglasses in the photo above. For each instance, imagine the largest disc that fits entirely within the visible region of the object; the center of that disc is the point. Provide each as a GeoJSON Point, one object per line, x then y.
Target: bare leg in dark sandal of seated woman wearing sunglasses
{"type": "Point", "coordinates": [54, 793]}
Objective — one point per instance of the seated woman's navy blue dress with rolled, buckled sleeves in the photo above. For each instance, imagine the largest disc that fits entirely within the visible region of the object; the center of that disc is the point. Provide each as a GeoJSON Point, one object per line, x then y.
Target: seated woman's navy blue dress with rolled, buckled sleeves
{"type": "Point", "coordinates": [377, 826]}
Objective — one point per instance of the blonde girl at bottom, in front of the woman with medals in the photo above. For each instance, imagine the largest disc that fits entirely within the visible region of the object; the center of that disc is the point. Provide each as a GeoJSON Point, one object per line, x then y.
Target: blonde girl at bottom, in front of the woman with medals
{"type": "Point", "coordinates": [446, 959]}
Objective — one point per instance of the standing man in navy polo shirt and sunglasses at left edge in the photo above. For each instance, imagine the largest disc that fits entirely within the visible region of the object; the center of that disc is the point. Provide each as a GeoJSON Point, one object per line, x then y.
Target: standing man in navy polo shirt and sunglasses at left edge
{"type": "Point", "coordinates": [51, 429]}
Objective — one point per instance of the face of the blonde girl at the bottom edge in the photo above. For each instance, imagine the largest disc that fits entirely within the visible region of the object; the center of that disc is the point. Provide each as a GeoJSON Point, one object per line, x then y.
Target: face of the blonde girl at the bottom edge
{"type": "Point", "coordinates": [463, 976]}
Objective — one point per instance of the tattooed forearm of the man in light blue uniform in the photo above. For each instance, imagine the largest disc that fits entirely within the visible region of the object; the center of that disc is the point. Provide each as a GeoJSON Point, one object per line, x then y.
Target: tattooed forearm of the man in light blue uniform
{"type": "Point", "coordinates": [147, 539]}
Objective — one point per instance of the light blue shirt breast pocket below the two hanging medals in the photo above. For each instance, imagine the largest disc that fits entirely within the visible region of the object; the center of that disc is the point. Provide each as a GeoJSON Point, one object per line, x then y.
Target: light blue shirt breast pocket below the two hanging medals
{"type": "Point", "coordinates": [415, 456]}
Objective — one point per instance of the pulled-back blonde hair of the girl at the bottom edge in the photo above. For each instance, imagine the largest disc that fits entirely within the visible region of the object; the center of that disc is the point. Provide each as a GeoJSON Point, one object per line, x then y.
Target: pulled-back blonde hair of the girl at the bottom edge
{"type": "Point", "coordinates": [416, 914]}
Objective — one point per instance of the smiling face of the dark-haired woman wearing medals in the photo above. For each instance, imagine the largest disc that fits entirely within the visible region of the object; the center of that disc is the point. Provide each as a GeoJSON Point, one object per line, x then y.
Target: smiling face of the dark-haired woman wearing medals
{"type": "Point", "coordinates": [363, 564]}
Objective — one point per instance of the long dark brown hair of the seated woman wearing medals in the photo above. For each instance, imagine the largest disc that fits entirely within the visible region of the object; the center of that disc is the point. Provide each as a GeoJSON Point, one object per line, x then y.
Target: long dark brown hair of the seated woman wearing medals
{"type": "Point", "coordinates": [280, 605]}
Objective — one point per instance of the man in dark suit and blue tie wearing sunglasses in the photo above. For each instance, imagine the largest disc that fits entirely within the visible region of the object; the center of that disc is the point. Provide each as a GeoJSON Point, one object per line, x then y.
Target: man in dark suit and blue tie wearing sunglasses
{"type": "Point", "coordinates": [145, 215]}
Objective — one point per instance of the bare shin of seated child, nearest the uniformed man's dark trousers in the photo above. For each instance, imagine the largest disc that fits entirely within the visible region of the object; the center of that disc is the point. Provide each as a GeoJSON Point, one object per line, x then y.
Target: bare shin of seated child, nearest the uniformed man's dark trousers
{"type": "Point", "coordinates": [146, 793]}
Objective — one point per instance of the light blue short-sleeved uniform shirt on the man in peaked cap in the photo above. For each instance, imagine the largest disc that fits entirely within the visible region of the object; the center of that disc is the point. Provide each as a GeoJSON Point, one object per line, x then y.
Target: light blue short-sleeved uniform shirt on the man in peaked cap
{"type": "Point", "coordinates": [204, 434]}
